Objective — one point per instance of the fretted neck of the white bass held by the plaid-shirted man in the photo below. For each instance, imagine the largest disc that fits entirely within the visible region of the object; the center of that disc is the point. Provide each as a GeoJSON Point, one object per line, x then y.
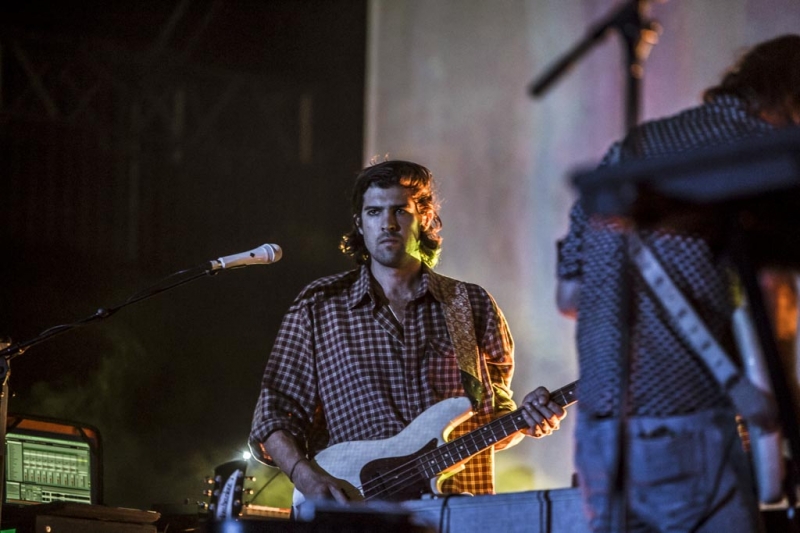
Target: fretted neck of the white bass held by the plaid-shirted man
{"type": "Point", "coordinates": [464, 447]}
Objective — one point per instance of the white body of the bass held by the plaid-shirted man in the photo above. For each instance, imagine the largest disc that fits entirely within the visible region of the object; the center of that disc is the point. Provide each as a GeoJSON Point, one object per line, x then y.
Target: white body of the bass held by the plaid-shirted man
{"type": "Point", "coordinates": [347, 460]}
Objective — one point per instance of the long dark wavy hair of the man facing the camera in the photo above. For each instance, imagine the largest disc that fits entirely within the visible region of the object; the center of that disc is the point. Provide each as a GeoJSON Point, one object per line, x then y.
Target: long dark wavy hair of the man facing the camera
{"type": "Point", "coordinates": [416, 178]}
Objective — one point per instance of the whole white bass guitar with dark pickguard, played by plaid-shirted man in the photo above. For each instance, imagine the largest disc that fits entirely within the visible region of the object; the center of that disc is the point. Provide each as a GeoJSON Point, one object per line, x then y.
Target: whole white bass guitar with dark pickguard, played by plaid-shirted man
{"type": "Point", "coordinates": [416, 460]}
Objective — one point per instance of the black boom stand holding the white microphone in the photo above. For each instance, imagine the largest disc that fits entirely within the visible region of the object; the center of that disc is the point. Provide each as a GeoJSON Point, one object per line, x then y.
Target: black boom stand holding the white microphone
{"type": "Point", "coordinates": [12, 351]}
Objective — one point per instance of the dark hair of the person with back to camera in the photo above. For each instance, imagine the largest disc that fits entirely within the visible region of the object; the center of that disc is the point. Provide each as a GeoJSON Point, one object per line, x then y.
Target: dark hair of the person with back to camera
{"type": "Point", "coordinates": [767, 77]}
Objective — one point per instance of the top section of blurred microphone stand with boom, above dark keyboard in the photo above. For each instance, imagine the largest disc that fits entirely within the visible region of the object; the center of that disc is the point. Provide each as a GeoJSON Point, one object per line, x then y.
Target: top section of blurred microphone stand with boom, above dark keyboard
{"type": "Point", "coordinates": [639, 35]}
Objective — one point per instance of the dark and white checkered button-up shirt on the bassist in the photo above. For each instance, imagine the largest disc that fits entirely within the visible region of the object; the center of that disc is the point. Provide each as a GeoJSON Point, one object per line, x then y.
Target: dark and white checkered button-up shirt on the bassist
{"type": "Point", "coordinates": [343, 368]}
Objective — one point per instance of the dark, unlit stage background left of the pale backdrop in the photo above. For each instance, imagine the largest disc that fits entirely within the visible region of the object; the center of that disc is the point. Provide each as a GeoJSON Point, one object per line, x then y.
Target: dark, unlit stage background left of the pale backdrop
{"type": "Point", "coordinates": [141, 138]}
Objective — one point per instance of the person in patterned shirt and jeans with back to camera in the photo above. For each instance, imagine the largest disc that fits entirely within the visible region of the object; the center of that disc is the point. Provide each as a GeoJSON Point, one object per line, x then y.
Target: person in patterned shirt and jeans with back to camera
{"type": "Point", "coordinates": [685, 468]}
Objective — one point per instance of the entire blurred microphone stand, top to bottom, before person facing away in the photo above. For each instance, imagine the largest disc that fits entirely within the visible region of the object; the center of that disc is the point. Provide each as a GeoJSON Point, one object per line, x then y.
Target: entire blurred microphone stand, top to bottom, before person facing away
{"type": "Point", "coordinates": [639, 35]}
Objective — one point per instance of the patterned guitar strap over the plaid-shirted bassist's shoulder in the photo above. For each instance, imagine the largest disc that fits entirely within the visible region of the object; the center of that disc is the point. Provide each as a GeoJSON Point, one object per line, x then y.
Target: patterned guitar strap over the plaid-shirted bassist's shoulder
{"type": "Point", "coordinates": [458, 315]}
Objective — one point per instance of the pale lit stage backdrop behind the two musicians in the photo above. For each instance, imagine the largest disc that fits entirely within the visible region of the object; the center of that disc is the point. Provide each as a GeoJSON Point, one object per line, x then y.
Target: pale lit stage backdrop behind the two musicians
{"type": "Point", "coordinates": [447, 87]}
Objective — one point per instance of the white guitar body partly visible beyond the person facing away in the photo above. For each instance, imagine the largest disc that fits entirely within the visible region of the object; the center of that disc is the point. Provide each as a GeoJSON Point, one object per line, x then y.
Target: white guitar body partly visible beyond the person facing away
{"type": "Point", "coordinates": [766, 449]}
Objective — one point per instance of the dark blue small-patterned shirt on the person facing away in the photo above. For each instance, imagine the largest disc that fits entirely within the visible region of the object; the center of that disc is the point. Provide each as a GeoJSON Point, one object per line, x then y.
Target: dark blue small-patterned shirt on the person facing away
{"type": "Point", "coordinates": [665, 376]}
